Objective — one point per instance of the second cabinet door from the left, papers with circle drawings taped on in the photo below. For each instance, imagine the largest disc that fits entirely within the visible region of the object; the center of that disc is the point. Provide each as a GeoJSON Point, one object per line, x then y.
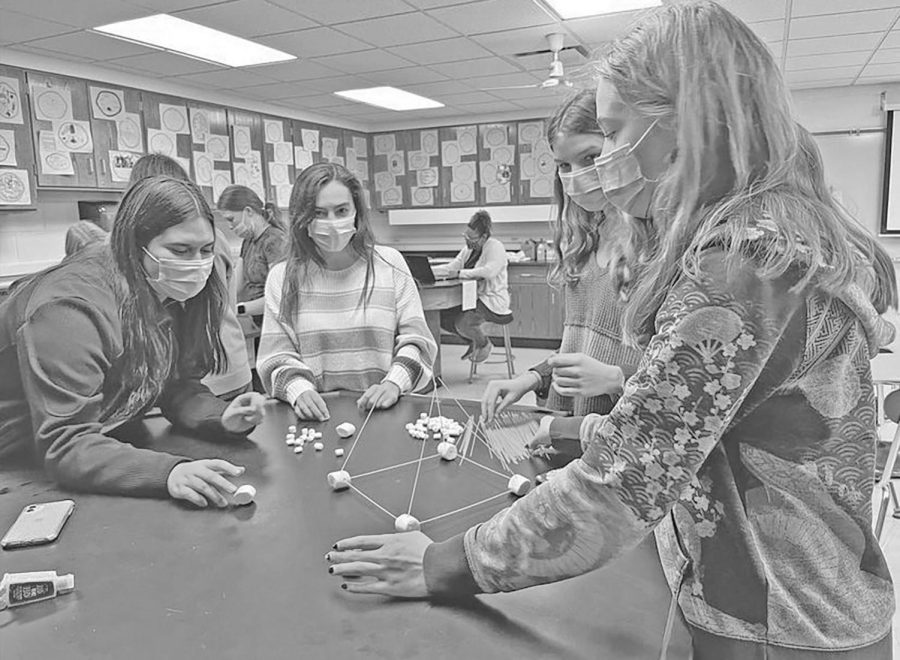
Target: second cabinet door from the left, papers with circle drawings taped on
{"type": "Point", "coordinates": [61, 126]}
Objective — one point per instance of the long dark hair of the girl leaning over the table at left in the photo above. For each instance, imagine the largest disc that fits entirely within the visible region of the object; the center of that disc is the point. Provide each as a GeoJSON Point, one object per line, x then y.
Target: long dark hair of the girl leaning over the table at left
{"type": "Point", "coordinates": [151, 346]}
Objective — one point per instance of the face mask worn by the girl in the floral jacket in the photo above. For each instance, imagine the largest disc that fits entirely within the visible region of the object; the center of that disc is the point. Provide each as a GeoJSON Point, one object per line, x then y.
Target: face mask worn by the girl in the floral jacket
{"type": "Point", "coordinates": [621, 179]}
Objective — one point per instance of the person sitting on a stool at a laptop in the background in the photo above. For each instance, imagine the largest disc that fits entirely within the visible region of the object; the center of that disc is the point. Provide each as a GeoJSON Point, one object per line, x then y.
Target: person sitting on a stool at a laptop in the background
{"type": "Point", "coordinates": [483, 259]}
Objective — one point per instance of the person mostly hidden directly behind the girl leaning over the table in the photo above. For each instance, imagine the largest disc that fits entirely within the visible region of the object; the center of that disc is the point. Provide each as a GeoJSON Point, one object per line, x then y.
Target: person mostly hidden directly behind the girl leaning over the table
{"type": "Point", "coordinates": [234, 378]}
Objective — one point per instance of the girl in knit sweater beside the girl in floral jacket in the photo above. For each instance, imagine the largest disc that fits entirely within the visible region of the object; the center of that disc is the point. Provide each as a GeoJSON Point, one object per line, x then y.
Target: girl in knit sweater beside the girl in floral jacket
{"type": "Point", "coordinates": [586, 376]}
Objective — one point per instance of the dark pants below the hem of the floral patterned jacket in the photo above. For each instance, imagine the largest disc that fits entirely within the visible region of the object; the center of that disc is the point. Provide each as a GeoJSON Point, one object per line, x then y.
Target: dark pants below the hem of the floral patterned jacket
{"type": "Point", "coordinates": [712, 647]}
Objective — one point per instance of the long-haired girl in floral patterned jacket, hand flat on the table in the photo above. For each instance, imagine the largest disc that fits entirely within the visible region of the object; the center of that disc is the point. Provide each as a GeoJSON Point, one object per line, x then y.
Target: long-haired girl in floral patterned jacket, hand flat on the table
{"type": "Point", "coordinates": [747, 436]}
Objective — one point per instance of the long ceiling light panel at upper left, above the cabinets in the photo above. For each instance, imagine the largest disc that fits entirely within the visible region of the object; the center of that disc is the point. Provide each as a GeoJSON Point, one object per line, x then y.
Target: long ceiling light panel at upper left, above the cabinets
{"type": "Point", "coordinates": [193, 40]}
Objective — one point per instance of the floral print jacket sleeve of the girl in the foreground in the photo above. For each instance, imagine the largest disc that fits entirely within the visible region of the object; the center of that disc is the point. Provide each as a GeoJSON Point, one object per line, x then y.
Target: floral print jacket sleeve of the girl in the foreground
{"type": "Point", "coordinates": [714, 337]}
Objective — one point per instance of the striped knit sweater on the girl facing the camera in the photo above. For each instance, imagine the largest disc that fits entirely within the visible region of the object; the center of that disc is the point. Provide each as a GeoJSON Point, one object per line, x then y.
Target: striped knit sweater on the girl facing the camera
{"type": "Point", "coordinates": [333, 343]}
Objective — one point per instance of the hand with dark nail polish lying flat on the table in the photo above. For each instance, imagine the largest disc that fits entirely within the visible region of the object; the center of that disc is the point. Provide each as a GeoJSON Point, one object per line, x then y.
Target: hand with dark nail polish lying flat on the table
{"type": "Point", "coordinates": [388, 564]}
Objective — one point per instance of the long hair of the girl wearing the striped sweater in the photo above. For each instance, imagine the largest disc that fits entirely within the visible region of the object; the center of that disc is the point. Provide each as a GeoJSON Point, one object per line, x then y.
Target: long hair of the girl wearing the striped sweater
{"type": "Point", "coordinates": [303, 250]}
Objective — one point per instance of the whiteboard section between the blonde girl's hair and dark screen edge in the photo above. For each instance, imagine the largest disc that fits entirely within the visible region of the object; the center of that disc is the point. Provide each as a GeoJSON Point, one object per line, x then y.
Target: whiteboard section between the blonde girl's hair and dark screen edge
{"type": "Point", "coordinates": [854, 169]}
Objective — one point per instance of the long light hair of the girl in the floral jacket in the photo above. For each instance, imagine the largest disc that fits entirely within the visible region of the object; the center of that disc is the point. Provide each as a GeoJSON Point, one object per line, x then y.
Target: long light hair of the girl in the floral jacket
{"type": "Point", "coordinates": [740, 157]}
